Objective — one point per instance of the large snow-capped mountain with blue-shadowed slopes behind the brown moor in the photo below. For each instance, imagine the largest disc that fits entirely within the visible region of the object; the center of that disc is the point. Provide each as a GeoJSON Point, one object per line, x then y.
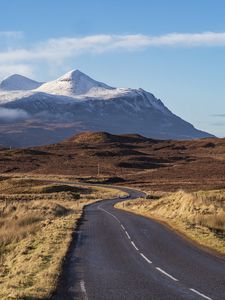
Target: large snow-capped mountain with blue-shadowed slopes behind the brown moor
{"type": "Point", "coordinates": [75, 102]}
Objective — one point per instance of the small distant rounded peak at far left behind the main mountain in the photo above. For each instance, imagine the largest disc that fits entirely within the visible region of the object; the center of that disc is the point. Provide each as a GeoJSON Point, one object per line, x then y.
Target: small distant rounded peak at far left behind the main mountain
{"type": "Point", "coordinates": [18, 82]}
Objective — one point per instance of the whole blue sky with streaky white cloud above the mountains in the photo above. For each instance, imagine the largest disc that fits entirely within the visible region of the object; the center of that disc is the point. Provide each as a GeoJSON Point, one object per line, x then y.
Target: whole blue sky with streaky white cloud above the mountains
{"type": "Point", "coordinates": [174, 49]}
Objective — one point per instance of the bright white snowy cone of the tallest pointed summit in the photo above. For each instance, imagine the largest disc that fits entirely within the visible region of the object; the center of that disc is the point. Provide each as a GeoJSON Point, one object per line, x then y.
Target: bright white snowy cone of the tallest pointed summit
{"type": "Point", "coordinates": [72, 83]}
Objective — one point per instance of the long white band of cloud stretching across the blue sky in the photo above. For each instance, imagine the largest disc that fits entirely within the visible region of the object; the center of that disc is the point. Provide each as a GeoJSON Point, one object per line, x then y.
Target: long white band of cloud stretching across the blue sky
{"type": "Point", "coordinates": [62, 48]}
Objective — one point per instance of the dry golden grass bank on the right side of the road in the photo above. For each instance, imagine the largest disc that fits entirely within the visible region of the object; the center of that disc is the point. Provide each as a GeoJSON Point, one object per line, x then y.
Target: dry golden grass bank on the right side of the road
{"type": "Point", "coordinates": [199, 216]}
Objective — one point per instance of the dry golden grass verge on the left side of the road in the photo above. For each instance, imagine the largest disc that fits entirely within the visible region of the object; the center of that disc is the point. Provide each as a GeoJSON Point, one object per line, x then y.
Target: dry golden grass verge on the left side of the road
{"type": "Point", "coordinates": [36, 225]}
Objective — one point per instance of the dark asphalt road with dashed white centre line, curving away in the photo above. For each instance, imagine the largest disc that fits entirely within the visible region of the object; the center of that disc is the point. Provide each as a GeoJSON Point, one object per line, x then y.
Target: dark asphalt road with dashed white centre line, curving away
{"type": "Point", "coordinates": [119, 255]}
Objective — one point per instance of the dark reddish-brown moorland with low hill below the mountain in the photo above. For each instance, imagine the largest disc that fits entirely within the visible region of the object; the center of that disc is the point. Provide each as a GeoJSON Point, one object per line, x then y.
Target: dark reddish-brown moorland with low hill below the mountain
{"type": "Point", "coordinates": [134, 160]}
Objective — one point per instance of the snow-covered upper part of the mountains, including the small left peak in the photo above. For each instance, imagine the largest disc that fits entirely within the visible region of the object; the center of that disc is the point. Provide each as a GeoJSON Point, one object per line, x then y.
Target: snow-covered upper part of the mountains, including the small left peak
{"type": "Point", "coordinates": [76, 85]}
